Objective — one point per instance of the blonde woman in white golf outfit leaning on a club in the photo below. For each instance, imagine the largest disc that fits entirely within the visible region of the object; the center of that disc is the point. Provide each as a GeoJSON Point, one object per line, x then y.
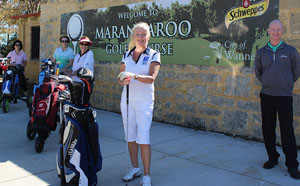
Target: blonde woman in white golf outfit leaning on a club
{"type": "Point", "coordinates": [139, 68]}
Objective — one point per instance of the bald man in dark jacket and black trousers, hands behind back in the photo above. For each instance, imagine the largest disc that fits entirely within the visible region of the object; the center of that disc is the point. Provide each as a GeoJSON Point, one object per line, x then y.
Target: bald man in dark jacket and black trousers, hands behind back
{"type": "Point", "coordinates": [277, 66]}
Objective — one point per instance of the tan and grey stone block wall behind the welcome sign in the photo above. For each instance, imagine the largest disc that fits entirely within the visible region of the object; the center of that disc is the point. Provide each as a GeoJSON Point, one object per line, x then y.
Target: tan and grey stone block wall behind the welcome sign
{"type": "Point", "coordinates": [220, 99]}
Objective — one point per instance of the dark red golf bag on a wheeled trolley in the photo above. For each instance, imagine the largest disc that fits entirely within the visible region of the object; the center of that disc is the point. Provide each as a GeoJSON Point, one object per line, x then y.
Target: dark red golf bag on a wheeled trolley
{"type": "Point", "coordinates": [44, 113]}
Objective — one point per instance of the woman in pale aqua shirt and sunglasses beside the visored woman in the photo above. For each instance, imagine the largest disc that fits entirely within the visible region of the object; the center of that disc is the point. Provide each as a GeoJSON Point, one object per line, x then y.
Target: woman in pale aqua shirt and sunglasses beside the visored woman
{"type": "Point", "coordinates": [64, 55]}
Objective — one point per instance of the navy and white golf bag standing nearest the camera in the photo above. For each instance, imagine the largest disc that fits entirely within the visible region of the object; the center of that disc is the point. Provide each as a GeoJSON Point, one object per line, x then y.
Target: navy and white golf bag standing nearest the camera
{"type": "Point", "coordinates": [79, 156]}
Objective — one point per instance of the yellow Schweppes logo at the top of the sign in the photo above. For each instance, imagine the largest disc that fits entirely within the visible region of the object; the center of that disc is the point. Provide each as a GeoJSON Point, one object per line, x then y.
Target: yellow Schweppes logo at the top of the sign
{"type": "Point", "coordinates": [246, 11]}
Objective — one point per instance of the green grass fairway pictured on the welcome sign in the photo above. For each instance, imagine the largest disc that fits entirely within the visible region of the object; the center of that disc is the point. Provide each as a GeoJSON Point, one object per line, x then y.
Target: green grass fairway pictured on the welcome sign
{"type": "Point", "coordinates": [191, 51]}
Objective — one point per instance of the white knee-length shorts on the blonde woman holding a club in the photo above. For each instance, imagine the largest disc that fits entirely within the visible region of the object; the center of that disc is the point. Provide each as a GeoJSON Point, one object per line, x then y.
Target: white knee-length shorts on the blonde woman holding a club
{"type": "Point", "coordinates": [139, 121]}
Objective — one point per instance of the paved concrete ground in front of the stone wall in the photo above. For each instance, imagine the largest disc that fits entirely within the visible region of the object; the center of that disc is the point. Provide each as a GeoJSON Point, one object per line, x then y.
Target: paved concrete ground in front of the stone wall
{"type": "Point", "coordinates": [180, 156]}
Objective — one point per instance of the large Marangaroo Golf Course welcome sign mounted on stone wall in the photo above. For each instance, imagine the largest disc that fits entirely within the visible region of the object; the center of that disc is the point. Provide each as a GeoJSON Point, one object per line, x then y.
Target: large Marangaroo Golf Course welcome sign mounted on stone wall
{"type": "Point", "coordinates": [201, 32]}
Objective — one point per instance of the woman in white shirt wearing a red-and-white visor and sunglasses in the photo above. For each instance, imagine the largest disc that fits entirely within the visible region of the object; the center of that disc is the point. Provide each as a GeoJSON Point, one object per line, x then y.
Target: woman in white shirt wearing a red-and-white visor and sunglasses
{"type": "Point", "coordinates": [85, 57]}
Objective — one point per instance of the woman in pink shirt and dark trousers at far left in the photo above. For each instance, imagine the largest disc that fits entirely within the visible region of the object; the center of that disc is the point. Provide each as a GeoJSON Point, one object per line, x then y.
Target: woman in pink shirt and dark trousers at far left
{"type": "Point", "coordinates": [18, 58]}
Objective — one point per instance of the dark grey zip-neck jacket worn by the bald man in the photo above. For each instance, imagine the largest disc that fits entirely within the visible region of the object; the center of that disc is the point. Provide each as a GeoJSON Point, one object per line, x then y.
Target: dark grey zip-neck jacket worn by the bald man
{"type": "Point", "coordinates": [277, 71]}
